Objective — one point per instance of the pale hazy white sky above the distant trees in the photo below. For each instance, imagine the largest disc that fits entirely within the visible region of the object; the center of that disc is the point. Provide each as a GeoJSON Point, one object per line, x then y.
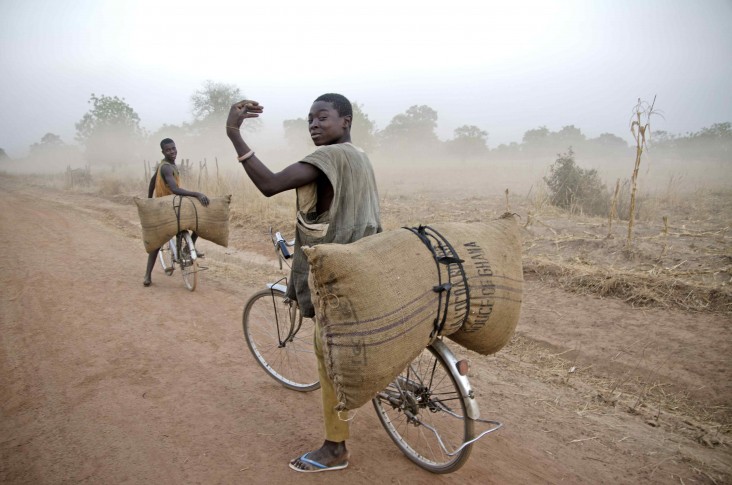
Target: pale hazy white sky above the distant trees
{"type": "Point", "coordinates": [505, 66]}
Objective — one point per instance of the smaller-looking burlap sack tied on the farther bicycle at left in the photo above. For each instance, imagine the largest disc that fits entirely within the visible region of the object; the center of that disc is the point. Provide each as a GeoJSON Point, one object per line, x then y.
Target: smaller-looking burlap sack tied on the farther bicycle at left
{"type": "Point", "coordinates": [160, 223]}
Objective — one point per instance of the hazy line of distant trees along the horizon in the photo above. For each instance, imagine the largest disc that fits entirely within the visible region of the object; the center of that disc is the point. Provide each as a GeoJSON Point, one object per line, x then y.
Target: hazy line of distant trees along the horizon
{"type": "Point", "coordinates": [110, 132]}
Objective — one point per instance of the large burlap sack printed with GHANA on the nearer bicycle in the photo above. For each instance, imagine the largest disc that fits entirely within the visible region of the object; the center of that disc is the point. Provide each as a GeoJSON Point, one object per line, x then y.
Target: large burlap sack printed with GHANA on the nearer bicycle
{"type": "Point", "coordinates": [375, 302]}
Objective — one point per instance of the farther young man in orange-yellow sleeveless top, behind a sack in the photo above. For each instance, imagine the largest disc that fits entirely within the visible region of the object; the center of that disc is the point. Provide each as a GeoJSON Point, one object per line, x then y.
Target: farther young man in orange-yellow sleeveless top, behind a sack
{"type": "Point", "coordinates": [166, 181]}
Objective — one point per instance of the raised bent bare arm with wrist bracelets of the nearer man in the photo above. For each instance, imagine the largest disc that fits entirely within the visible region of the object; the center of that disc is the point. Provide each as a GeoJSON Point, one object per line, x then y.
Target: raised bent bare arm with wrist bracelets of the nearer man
{"type": "Point", "coordinates": [269, 183]}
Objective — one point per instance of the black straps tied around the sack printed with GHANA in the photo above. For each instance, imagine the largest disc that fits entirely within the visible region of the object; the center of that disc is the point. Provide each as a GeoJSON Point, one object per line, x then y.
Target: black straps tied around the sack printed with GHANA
{"type": "Point", "coordinates": [446, 259]}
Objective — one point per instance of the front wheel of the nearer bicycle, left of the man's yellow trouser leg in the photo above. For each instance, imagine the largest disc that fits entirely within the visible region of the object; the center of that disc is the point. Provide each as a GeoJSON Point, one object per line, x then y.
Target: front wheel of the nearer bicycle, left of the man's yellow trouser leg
{"type": "Point", "coordinates": [282, 345]}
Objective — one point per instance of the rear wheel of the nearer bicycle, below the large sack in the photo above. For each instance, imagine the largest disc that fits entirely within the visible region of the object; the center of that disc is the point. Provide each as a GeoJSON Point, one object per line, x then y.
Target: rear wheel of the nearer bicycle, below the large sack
{"type": "Point", "coordinates": [424, 413]}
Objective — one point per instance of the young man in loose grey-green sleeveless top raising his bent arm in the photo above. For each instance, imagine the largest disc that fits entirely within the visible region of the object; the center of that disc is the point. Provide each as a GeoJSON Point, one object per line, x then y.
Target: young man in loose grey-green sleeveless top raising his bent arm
{"type": "Point", "coordinates": [337, 202]}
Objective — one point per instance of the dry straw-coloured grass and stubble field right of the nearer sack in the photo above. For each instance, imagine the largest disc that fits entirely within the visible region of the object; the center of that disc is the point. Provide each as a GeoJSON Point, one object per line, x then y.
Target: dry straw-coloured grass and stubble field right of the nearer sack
{"type": "Point", "coordinates": [682, 258]}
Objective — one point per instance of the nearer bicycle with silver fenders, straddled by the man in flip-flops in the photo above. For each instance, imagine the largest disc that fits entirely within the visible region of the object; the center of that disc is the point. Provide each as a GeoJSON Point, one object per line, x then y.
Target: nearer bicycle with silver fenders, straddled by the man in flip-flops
{"type": "Point", "coordinates": [429, 410]}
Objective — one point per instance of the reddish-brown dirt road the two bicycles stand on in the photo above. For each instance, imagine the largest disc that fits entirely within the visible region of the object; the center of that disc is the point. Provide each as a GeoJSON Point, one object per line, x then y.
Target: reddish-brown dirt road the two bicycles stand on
{"type": "Point", "coordinates": [105, 381]}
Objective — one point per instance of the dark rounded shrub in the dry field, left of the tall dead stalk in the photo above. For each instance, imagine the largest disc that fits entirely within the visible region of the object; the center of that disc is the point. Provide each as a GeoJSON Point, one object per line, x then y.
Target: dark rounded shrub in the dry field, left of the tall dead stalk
{"type": "Point", "coordinates": [576, 189]}
